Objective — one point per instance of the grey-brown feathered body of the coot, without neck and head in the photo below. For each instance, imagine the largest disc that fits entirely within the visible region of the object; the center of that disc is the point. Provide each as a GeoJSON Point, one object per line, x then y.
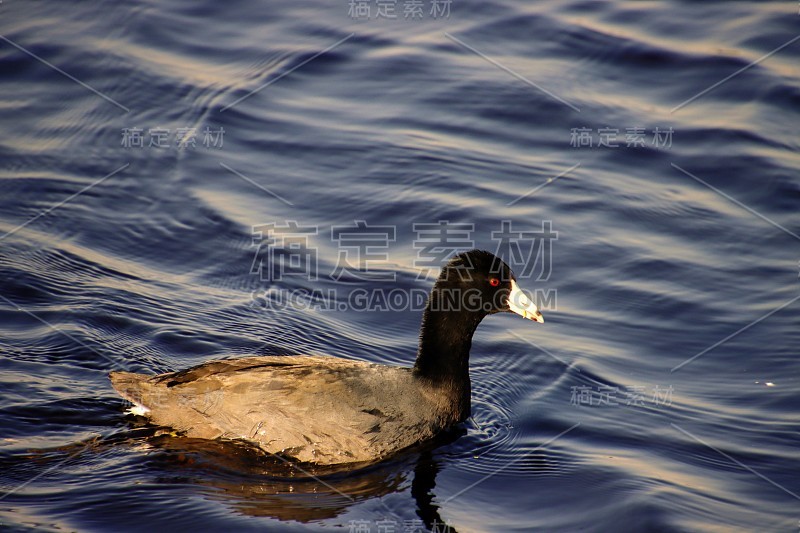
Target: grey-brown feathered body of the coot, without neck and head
{"type": "Point", "coordinates": [322, 410]}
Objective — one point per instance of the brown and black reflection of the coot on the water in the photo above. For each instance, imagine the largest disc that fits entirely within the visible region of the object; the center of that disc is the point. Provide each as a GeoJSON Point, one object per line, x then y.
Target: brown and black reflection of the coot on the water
{"type": "Point", "coordinates": [256, 484]}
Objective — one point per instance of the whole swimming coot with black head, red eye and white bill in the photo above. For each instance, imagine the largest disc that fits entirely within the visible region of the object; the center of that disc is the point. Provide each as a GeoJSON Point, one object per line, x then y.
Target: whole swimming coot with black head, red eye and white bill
{"type": "Point", "coordinates": [328, 410]}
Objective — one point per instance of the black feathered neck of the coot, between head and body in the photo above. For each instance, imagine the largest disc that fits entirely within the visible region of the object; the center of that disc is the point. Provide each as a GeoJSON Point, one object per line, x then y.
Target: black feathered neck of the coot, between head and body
{"type": "Point", "coordinates": [444, 343]}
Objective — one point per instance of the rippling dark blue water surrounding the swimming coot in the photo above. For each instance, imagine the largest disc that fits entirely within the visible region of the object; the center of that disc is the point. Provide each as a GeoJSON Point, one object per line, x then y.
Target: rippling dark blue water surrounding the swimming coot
{"type": "Point", "coordinates": [676, 229]}
